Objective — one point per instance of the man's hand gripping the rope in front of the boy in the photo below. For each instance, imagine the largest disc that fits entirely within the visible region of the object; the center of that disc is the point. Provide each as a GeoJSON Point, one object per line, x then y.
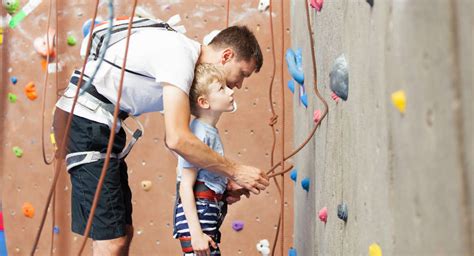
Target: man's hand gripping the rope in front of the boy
{"type": "Point", "coordinates": [250, 178]}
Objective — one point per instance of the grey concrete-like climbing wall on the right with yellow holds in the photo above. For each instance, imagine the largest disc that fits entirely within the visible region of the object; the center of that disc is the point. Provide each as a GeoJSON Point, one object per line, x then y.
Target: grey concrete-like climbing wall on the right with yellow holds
{"type": "Point", "coordinates": [404, 173]}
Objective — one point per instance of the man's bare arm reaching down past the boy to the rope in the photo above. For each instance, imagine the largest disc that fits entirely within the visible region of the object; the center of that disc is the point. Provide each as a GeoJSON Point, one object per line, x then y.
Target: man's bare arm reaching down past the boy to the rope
{"type": "Point", "coordinates": [180, 139]}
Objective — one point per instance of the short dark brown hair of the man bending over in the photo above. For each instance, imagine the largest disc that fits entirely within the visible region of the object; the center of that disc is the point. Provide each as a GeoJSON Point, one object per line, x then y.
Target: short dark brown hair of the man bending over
{"type": "Point", "coordinates": [242, 41]}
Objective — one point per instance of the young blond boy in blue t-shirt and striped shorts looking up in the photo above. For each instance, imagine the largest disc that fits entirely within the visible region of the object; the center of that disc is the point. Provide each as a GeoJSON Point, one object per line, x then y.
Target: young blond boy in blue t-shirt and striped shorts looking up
{"type": "Point", "coordinates": [200, 206]}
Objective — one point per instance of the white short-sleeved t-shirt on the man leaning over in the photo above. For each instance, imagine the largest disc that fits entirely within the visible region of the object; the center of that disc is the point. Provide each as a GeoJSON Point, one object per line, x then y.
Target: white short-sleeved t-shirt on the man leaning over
{"type": "Point", "coordinates": [167, 56]}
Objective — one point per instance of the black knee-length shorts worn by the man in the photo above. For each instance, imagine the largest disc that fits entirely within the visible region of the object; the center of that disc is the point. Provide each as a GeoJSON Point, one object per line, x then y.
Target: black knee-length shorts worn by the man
{"type": "Point", "coordinates": [114, 209]}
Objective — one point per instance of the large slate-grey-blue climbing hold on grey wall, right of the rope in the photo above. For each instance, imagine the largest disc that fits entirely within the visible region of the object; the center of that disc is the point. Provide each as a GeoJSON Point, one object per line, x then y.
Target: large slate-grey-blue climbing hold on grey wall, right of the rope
{"type": "Point", "coordinates": [339, 78]}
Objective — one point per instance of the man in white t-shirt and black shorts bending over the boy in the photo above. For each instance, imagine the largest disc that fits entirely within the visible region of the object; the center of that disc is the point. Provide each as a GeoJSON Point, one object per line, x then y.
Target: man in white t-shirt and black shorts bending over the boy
{"type": "Point", "coordinates": [160, 69]}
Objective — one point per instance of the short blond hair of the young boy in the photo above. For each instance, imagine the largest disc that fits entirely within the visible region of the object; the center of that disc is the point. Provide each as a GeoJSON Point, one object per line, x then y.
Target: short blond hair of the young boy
{"type": "Point", "coordinates": [204, 75]}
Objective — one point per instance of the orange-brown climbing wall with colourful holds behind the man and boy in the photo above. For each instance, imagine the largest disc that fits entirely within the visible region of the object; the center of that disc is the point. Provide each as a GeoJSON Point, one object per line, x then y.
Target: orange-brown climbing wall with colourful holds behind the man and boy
{"type": "Point", "coordinates": [25, 179]}
